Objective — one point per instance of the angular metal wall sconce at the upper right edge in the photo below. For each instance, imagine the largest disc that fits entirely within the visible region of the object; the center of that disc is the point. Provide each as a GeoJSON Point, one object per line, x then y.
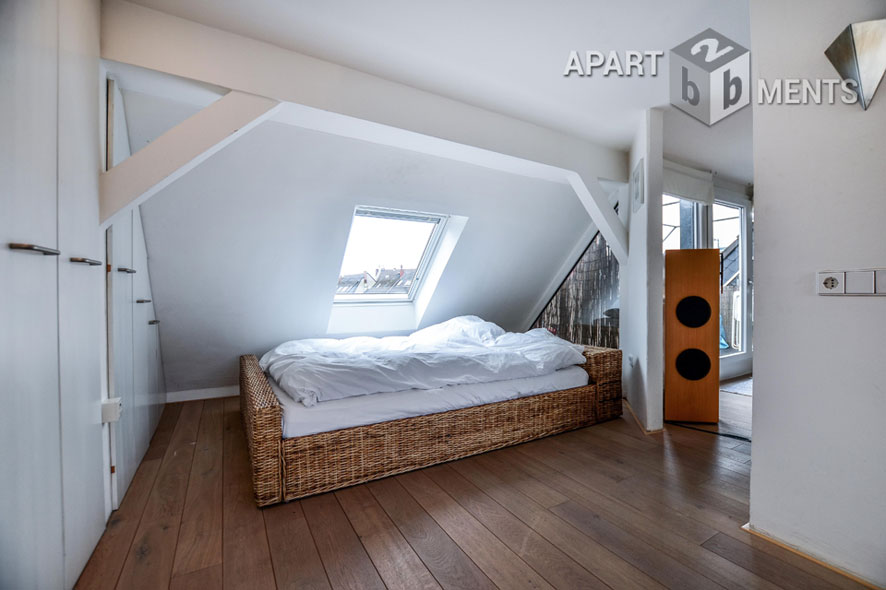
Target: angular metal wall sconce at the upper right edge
{"type": "Point", "coordinates": [859, 54]}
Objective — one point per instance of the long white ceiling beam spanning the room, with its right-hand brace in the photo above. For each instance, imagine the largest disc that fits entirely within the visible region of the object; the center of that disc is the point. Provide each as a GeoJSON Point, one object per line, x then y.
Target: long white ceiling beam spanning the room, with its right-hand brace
{"type": "Point", "coordinates": [140, 36]}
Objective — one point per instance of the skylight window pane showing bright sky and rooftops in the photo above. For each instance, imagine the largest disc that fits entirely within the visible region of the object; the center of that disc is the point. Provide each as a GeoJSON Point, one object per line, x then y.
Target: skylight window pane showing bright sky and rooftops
{"type": "Point", "coordinates": [387, 255]}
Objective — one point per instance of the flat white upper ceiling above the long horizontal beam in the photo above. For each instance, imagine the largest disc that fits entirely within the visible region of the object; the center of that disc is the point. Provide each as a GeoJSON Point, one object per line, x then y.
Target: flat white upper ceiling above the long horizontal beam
{"type": "Point", "coordinates": [509, 57]}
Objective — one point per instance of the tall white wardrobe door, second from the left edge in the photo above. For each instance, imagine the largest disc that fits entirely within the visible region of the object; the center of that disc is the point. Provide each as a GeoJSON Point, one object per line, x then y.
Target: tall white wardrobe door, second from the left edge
{"type": "Point", "coordinates": [81, 282]}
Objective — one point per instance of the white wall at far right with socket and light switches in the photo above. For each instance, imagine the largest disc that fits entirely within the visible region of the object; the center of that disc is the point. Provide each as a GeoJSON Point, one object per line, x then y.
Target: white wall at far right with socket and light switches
{"type": "Point", "coordinates": [819, 476]}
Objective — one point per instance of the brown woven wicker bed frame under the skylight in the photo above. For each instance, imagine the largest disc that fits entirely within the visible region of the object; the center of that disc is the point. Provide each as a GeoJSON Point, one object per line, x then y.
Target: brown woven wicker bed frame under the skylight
{"type": "Point", "coordinates": [287, 469]}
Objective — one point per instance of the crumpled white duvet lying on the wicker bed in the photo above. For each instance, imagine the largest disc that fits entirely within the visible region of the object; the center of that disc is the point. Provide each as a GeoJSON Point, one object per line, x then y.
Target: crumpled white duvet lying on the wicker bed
{"type": "Point", "coordinates": [460, 351]}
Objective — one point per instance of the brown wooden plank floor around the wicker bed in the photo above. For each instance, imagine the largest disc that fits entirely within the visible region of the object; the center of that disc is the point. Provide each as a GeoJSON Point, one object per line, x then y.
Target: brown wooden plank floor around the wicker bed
{"type": "Point", "coordinates": [603, 507]}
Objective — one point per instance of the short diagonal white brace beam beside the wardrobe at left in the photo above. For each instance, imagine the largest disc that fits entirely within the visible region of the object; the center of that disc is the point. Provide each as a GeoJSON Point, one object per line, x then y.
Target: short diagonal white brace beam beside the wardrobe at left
{"type": "Point", "coordinates": [179, 150]}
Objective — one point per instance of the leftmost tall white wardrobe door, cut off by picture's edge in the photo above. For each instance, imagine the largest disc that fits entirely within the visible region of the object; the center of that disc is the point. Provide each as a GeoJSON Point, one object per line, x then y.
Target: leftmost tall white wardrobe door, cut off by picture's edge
{"type": "Point", "coordinates": [31, 554]}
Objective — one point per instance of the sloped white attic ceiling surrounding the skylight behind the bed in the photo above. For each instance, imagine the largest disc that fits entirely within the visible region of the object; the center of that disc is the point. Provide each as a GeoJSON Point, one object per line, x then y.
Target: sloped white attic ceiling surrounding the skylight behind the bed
{"type": "Point", "coordinates": [245, 250]}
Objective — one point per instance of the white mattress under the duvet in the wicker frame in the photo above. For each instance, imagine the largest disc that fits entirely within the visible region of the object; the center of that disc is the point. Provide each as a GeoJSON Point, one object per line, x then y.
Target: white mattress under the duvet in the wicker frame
{"type": "Point", "coordinates": [299, 420]}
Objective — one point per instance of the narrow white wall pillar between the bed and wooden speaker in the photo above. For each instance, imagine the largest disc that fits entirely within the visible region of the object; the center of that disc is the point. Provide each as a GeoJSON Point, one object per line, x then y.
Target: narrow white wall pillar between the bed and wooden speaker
{"type": "Point", "coordinates": [642, 289]}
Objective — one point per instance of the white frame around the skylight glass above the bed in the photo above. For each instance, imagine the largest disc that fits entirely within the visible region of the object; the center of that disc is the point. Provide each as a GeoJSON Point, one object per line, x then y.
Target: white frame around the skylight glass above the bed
{"type": "Point", "coordinates": [428, 254]}
